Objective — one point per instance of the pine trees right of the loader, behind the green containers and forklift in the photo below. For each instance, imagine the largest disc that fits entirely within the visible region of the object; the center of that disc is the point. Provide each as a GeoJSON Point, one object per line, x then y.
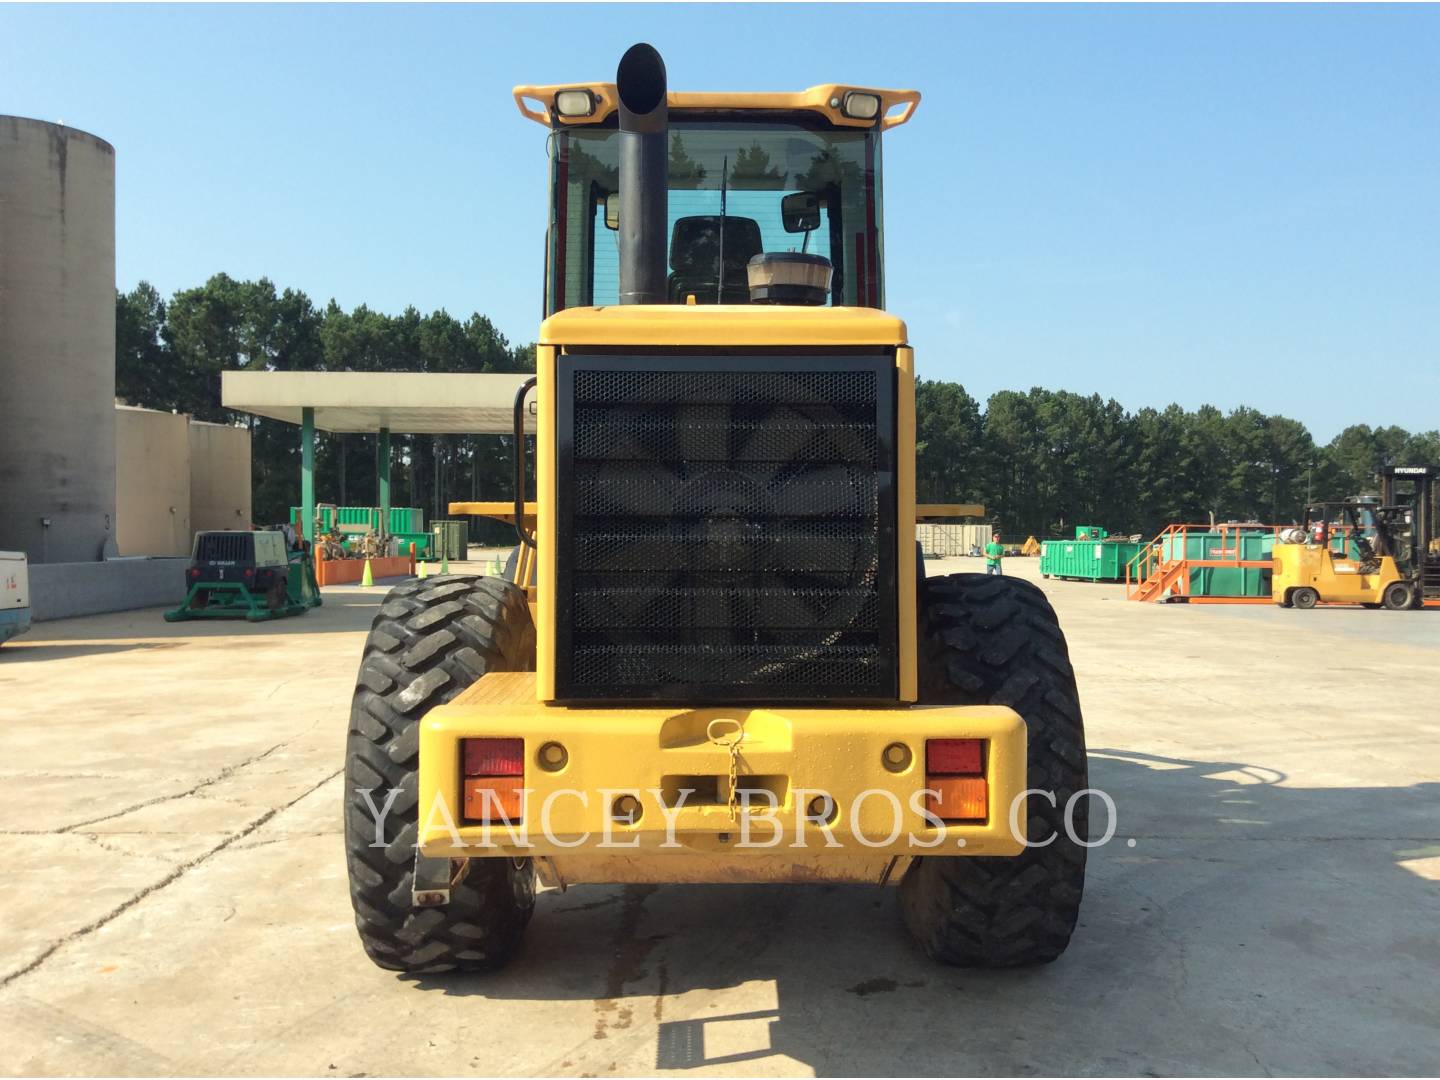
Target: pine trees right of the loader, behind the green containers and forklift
{"type": "Point", "coordinates": [1045, 462]}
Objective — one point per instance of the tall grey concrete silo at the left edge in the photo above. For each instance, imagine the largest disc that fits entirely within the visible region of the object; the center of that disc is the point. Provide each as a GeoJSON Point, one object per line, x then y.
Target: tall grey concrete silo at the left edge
{"type": "Point", "coordinates": [57, 342]}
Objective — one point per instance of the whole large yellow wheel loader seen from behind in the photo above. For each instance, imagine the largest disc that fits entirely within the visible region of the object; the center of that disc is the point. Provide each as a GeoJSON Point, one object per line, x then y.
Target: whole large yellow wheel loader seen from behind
{"type": "Point", "coordinates": [718, 657]}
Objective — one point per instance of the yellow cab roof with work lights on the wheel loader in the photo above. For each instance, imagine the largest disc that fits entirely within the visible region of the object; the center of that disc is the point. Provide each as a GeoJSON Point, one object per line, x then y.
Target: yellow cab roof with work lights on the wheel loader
{"type": "Point", "coordinates": [538, 104]}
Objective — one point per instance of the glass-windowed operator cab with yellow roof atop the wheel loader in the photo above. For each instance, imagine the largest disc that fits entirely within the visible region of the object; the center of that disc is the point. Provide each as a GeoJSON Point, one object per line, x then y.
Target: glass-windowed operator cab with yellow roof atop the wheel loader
{"type": "Point", "coordinates": [732, 162]}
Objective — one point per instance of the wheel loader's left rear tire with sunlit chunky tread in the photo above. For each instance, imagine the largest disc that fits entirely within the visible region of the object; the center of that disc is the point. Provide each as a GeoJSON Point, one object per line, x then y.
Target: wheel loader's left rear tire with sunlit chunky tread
{"type": "Point", "coordinates": [430, 640]}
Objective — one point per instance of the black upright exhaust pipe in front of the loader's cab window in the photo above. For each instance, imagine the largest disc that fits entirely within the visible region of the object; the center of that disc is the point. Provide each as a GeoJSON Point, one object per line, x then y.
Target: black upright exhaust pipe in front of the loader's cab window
{"type": "Point", "coordinates": [644, 169]}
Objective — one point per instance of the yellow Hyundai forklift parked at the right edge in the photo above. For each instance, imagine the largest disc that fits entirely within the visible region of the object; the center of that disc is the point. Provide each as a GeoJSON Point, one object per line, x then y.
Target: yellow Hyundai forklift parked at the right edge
{"type": "Point", "coordinates": [1374, 552]}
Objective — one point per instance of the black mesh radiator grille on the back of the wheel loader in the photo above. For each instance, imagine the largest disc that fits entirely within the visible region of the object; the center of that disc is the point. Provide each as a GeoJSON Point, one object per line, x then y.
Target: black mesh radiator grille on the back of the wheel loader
{"type": "Point", "coordinates": [726, 529]}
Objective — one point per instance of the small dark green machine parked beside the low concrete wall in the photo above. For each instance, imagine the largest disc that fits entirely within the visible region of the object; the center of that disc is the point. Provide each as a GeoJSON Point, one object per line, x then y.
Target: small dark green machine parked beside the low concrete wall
{"type": "Point", "coordinates": [263, 575]}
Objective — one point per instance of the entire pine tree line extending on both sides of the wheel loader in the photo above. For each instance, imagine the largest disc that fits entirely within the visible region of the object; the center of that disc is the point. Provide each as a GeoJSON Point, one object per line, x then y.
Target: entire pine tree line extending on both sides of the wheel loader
{"type": "Point", "coordinates": [1042, 462]}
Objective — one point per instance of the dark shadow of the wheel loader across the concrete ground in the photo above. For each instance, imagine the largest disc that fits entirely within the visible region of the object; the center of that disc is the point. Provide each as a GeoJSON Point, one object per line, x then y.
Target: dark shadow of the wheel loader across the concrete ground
{"type": "Point", "coordinates": [855, 997]}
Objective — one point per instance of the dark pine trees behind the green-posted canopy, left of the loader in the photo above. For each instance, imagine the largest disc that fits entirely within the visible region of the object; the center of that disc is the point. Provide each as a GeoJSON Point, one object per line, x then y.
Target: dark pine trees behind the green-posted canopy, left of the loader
{"type": "Point", "coordinates": [169, 356]}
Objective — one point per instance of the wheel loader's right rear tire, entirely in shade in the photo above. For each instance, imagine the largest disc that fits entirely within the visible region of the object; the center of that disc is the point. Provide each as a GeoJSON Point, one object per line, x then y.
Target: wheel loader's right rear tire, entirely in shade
{"type": "Point", "coordinates": [997, 642]}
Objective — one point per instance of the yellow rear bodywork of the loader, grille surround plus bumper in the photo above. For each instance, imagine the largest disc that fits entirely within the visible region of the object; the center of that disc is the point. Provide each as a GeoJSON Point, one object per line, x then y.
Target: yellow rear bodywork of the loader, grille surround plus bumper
{"type": "Point", "coordinates": [653, 752]}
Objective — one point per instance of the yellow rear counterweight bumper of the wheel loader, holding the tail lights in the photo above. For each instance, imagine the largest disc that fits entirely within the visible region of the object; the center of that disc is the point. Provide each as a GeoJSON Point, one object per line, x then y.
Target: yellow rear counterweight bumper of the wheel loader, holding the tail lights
{"type": "Point", "coordinates": [784, 758]}
